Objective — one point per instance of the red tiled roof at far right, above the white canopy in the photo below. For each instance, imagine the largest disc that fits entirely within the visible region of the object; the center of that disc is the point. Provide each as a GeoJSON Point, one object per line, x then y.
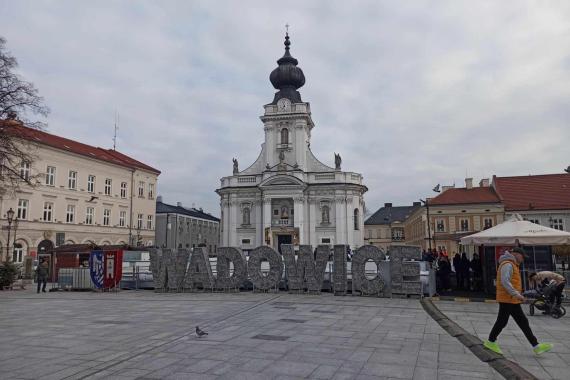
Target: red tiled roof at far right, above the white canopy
{"type": "Point", "coordinates": [534, 192]}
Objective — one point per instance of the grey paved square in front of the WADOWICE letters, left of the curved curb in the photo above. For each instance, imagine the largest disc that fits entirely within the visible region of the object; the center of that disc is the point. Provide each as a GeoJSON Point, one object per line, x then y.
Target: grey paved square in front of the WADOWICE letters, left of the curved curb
{"type": "Point", "coordinates": [145, 335]}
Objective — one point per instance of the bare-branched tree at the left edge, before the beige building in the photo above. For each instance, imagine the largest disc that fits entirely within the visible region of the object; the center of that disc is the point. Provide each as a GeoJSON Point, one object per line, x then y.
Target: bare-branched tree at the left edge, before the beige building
{"type": "Point", "coordinates": [18, 101]}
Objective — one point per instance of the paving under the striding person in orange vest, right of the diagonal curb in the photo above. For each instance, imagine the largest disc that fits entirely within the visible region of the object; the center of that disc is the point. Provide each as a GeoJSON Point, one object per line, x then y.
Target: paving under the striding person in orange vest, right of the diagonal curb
{"type": "Point", "coordinates": [478, 318]}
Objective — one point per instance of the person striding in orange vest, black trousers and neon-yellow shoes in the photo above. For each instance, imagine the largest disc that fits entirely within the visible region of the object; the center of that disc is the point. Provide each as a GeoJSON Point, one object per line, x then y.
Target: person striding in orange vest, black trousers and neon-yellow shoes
{"type": "Point", "coordinates": [510, 298]}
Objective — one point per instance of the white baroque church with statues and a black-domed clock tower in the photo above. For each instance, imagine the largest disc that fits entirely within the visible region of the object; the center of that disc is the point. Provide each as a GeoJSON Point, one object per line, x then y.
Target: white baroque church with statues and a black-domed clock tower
{"type": "Point", "coordinates": [288, 196]}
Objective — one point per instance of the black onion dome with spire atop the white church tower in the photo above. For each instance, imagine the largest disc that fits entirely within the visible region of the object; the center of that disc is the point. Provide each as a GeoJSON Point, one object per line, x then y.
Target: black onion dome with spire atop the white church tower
{"type": "Point", "coordinates": [287, 77]}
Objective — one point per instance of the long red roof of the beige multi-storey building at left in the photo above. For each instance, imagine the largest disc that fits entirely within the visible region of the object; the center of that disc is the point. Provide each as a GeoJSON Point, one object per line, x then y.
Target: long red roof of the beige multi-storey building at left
{"type": "Point", "coordinates": [40, 137]}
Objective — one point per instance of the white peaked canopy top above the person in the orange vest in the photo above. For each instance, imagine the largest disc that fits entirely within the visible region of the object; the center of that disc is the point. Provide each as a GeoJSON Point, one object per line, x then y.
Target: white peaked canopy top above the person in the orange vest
{"type": "Point", "coordinates": [517, 231]}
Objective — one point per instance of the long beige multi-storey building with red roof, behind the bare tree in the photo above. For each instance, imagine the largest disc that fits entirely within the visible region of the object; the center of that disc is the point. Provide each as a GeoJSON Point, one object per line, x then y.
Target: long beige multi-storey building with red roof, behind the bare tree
{"type": "Point", "coordinates": [84, 194]}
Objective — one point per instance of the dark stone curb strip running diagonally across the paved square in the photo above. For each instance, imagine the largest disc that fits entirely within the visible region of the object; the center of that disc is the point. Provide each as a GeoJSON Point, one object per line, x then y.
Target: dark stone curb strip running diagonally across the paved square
{"type": "Point", "coordinates": [507, 368]}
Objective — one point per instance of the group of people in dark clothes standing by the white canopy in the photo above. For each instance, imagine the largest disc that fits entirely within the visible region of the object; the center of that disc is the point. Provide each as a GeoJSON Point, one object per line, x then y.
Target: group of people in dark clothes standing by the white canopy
{"type": "Point", "coordinates": [465, 270]}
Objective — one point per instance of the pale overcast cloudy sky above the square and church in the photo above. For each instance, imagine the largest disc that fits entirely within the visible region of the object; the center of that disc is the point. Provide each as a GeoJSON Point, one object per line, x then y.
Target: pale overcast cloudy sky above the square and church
{"type": "Point", "coordinates": [411, 93]}
